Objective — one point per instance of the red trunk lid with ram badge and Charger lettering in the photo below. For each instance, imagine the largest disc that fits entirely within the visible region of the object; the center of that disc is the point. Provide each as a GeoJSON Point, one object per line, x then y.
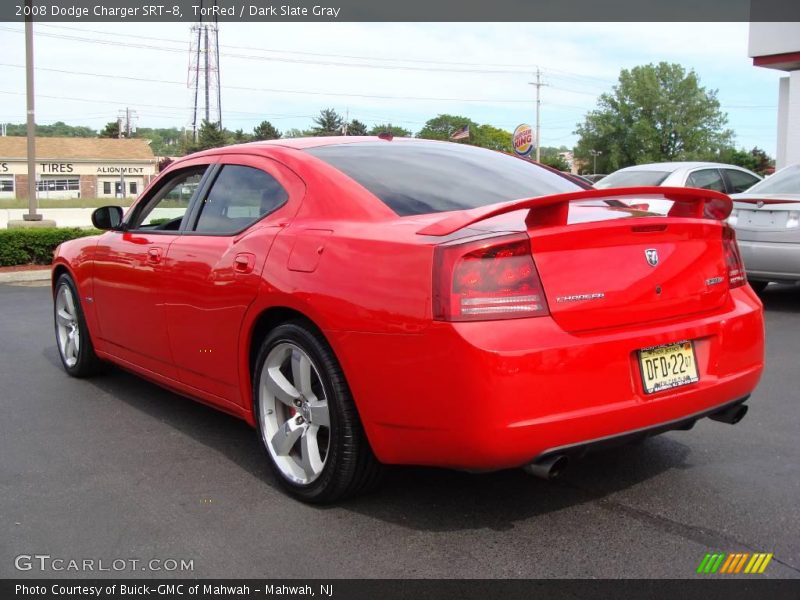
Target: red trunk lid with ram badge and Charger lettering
{"type": "Point", "coordinates": [628, 271]}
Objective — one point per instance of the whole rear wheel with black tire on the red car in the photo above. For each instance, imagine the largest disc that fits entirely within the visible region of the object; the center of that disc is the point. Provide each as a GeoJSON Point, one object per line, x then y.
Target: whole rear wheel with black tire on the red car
{"type": "Point", "coordinates": [307, 419]}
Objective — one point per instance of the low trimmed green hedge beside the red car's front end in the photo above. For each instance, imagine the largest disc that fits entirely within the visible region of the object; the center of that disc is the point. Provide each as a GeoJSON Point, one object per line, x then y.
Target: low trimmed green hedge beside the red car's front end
{"type": "Point", "coordinates": [35, 246]}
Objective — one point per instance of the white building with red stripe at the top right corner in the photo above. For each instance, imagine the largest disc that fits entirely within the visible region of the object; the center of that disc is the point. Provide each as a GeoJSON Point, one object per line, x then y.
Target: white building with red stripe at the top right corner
{"type": "Point", "coordinates": [777, 46]}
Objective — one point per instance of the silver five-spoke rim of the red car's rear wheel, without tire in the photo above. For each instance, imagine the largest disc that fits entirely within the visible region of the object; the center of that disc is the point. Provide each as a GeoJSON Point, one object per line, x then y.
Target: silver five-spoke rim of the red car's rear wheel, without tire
{"type": "Point", "coordinates": [293, 410]}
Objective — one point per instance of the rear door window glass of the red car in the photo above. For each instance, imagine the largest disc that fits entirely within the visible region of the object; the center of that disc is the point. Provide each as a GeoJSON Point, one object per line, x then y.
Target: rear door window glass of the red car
{"type": "Point", "coordinates": [240, 196]}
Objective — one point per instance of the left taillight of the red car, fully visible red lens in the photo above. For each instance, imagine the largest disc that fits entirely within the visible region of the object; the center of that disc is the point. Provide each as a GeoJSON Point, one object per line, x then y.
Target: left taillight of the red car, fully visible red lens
{"type": "Point", "coordinates": [487, 279]}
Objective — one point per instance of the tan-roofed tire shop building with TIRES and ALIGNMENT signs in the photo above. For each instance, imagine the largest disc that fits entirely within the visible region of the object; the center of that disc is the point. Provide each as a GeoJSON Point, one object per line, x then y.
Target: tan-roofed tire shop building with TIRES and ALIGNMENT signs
{"type": "Point", "coordinates": [77, 167]}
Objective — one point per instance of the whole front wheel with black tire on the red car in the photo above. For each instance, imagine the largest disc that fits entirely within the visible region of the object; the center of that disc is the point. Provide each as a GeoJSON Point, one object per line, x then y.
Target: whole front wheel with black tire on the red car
{"type": "Point", "coordinates": [72, 335]}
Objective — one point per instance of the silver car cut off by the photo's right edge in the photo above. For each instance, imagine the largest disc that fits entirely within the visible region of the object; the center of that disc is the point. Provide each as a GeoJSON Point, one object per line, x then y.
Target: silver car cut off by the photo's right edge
{"type": "Point", "coordinates": [767, 223]}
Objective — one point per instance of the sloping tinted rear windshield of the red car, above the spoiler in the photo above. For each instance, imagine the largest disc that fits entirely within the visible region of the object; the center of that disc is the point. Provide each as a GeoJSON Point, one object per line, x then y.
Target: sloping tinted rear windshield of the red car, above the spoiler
{"type": "Point", "coordinates": [420, 178]}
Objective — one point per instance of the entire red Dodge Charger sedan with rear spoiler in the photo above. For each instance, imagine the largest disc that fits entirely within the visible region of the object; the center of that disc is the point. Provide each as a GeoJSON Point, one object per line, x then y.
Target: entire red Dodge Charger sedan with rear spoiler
{"type": "Point", "coordinates": [365, 301]}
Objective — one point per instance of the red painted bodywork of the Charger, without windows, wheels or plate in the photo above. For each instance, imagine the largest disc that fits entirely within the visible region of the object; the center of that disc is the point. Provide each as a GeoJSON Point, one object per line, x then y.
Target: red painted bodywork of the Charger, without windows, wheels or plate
{"type": "Point", "coordinates": [187, 310]}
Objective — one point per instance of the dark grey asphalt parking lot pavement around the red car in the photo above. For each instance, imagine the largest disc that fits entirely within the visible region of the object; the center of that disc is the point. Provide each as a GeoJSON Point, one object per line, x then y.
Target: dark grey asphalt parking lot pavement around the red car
{"type": "Point", "coordinates": [117, 468]}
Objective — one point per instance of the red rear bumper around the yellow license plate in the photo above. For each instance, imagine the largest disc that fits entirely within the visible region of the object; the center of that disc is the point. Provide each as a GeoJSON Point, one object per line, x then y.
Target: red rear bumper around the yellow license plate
{"type": "Point", "coordinates": [491, 395]}
